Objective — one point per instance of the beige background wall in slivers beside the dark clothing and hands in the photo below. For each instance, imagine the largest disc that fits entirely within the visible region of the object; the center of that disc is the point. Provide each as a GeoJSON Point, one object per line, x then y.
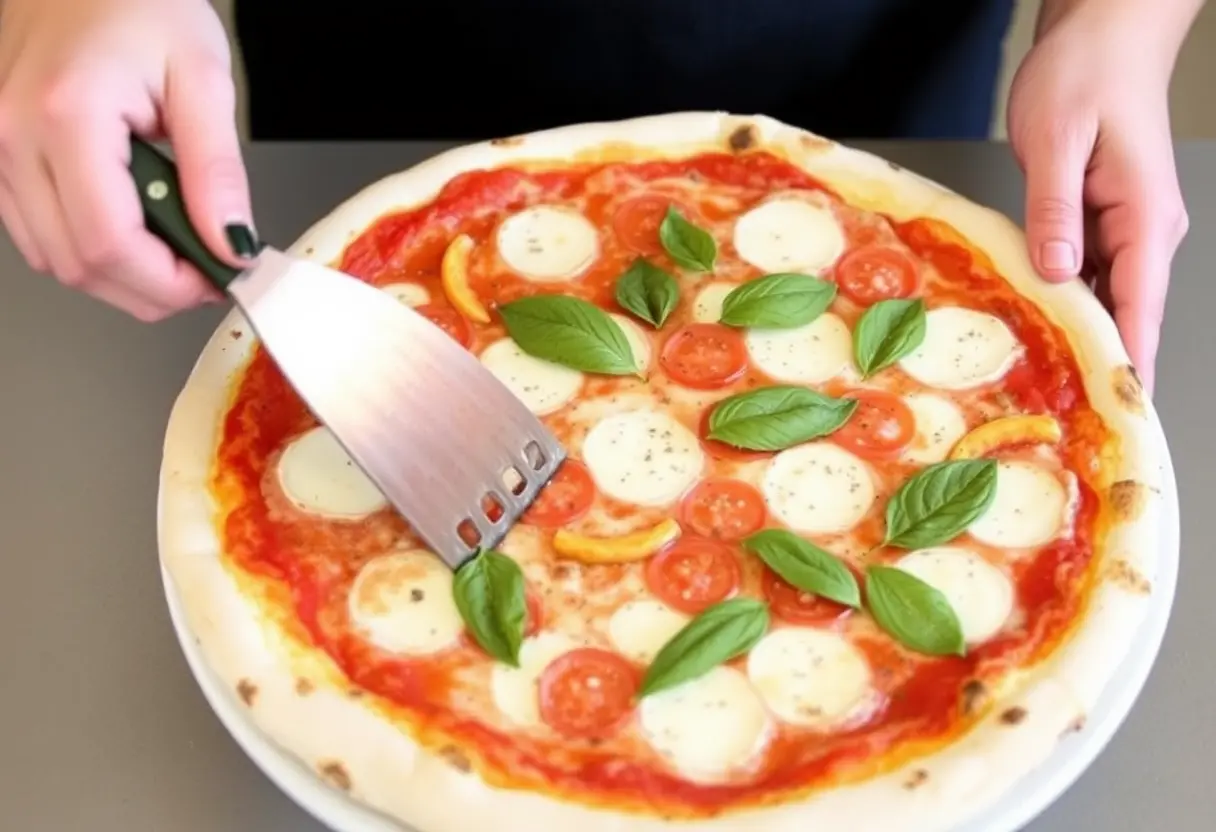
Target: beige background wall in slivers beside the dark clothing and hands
{"type": "Point", "coordinates": [1192, 98]}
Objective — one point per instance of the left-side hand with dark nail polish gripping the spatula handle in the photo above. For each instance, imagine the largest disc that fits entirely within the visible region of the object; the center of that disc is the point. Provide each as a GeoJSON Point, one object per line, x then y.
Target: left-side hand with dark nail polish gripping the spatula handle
{"type": "Point", "coordinates": [77, 78]}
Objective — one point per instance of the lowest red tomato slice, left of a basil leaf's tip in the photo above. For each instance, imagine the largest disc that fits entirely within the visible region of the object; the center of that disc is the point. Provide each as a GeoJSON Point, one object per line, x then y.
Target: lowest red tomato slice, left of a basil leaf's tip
{"type": "Point", "coordinates": [588, 693]}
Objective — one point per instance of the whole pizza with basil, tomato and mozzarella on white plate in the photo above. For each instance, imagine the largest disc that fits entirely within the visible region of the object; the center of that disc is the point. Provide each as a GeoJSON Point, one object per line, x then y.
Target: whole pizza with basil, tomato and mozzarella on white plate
{"type": "Point", "coordinates": [858, 521]}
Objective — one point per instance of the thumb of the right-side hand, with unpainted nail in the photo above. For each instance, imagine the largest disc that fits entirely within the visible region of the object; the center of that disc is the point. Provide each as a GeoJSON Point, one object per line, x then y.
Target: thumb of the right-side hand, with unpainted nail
{"type": "Point", "coordinates": [1056, 171]}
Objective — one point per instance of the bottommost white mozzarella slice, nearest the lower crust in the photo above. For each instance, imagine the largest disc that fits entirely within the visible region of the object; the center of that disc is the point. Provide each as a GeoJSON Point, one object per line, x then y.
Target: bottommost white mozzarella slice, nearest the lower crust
{"type": "Point", "coordinates": [708, 728]}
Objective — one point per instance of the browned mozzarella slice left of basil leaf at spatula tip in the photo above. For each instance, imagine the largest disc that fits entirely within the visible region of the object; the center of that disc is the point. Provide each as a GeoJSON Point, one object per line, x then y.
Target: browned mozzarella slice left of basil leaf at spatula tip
{"type": "Point", "coordinates": [403, 603]}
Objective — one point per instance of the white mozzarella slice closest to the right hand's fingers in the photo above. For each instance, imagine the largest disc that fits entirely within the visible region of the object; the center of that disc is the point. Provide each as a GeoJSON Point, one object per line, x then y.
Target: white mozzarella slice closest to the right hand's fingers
{"type": "Point", "coordinates": [962, 348]}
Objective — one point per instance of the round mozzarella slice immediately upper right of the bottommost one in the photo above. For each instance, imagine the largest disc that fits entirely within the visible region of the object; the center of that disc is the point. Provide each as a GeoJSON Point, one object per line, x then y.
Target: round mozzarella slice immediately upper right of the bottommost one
{"type": "Point", "coordinates": [810, 677]}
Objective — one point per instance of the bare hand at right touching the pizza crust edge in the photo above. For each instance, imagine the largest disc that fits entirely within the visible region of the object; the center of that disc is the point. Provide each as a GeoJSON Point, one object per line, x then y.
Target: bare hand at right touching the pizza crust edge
{"type": "Point", "coordinates": [1089, 122]}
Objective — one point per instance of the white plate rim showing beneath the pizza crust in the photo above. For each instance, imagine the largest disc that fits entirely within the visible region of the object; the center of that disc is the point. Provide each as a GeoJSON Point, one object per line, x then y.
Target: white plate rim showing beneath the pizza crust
{"type": "Point", "coordinates": [1015, 811]}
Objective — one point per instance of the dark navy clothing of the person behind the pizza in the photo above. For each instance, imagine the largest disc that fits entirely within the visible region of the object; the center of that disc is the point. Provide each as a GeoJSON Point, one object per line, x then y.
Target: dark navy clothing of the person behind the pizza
{"type": "Point", "coordinates": [478, 69]}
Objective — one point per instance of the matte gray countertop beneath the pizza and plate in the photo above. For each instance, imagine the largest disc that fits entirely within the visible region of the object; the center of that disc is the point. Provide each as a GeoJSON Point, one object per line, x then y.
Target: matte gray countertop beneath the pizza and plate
{"type": "Point", "coordinates": [102, 724]}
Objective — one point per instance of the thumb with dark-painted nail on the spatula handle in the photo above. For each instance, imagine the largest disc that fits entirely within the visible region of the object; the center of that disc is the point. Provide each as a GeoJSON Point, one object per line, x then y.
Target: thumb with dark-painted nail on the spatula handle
{"type": "Point", "coordinates": [200, 115]}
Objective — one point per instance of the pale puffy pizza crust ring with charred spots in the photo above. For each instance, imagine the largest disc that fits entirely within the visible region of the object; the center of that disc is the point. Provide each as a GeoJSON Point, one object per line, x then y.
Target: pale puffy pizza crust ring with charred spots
{"type": "Point", "coordinates": [301, 704]}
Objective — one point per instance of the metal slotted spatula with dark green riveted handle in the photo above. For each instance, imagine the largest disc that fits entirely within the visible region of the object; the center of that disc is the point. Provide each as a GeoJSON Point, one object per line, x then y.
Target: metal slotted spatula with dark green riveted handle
{"type": "Point", "coordinates": [453, 451]}
